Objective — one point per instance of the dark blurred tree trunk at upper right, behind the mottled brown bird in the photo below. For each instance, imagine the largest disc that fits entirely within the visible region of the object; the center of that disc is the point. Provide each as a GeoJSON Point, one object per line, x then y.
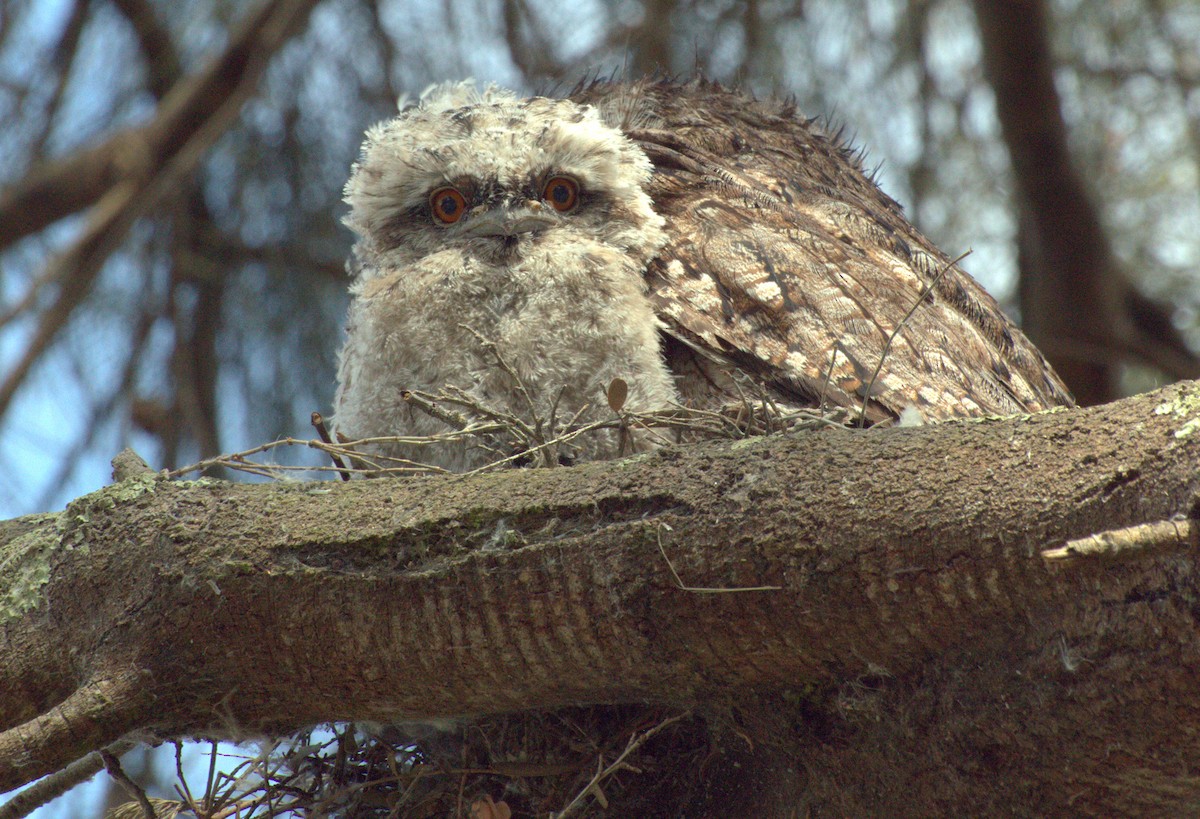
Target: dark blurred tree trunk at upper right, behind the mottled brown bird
{"type": "Point", "coordinates": [1077, 304]}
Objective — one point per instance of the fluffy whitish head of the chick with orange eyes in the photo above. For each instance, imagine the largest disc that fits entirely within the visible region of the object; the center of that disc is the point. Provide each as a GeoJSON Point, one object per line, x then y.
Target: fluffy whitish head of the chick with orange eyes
{"type": "Point", "coordinates": [493, 176]}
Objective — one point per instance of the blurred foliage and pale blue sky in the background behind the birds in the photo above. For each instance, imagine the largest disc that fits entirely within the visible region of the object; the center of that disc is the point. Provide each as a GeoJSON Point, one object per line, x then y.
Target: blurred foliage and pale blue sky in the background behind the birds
{"type": "Point", "coordinates": [215, 326]}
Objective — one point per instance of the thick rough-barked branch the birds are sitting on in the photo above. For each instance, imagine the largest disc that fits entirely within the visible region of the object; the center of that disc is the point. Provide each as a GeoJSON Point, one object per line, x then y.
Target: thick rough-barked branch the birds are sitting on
{"type": "Point", "coordinates": [932, 660]}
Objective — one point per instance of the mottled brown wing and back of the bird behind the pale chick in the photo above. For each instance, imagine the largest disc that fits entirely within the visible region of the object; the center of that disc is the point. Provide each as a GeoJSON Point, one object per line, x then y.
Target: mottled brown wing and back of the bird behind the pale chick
{"type": "Point", "coordinates": [787, 262]}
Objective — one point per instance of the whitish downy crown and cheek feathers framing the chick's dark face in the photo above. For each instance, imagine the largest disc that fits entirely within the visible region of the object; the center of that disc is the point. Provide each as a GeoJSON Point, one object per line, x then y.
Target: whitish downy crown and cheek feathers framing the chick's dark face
{"type": "Point", "coordinates": [494, 138]}
